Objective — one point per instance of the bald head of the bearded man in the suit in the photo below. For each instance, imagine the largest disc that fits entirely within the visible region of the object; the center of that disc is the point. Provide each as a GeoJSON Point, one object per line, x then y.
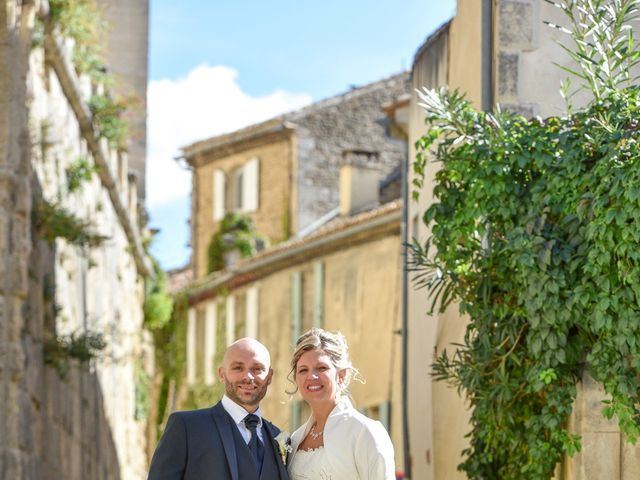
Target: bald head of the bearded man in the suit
{"type": "Point", "coordinates": [246, 372]}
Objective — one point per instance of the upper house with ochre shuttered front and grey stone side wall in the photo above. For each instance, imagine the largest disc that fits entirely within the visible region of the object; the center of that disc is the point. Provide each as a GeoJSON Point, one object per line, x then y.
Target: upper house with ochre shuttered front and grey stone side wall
{"type": "Point", "coordinates": [296, 158]}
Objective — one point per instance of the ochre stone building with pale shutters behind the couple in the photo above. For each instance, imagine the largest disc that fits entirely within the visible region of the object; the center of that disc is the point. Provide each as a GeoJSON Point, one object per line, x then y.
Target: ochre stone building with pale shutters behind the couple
{"type": "Point", "coordinates": [323, 184]}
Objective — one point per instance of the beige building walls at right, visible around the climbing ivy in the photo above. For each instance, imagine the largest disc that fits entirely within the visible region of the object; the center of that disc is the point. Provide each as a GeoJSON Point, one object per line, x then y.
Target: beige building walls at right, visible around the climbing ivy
{"type": "Point", "coordinates": [496, 52]}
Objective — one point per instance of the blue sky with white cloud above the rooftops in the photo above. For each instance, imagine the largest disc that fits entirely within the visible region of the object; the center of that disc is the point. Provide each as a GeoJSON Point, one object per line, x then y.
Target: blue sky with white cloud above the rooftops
{"type": "Point", "coordinates": [216, 66]}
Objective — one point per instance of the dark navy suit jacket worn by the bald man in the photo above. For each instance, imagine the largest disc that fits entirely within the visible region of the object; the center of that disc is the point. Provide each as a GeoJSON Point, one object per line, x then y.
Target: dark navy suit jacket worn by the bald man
{"type": "Point", "coordinates": [199, 445]}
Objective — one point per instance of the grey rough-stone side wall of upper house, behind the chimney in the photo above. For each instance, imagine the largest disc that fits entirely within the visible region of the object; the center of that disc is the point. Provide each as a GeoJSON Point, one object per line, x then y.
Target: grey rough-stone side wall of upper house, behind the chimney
{"type": "Point", "coordinates": [326, 130]}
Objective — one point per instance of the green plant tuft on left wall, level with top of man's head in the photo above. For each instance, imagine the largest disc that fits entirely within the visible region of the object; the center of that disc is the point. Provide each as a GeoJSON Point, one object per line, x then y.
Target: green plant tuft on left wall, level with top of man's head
{"type": "Point", "coordinates": [60, 351]}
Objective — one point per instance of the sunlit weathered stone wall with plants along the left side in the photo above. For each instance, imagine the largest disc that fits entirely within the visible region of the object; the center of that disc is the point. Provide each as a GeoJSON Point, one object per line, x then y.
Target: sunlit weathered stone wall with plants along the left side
{"type": "Point", "coordinates": [72, 266]}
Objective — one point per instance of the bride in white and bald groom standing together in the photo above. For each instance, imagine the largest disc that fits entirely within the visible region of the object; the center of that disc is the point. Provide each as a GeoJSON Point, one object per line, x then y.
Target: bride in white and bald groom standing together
{"type": "Point", "coordinates": [232, 440]}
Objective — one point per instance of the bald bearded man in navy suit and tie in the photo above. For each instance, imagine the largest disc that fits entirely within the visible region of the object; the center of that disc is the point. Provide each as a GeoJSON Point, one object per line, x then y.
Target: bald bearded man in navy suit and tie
{"type": "Point", "coordinates": [231, 440]}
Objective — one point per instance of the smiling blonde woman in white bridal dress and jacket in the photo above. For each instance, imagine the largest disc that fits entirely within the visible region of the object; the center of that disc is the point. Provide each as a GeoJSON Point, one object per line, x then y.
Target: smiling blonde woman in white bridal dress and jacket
{"type": "Point", "coordinates": [337, 442]}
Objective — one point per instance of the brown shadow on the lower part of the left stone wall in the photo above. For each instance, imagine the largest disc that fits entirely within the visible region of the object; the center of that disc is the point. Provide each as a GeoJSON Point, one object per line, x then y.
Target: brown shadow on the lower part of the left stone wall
{"type": "Point", "coordinates": [65, 429]}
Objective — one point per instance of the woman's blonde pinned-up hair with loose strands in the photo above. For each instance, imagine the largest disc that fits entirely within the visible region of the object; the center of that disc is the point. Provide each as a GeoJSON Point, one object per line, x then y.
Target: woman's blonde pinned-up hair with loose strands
{"type": "Point", "coordinates": [334, 344]}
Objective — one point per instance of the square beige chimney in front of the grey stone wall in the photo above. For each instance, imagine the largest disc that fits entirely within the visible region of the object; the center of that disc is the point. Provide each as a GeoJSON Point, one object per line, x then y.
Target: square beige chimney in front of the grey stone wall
{"type": "Point", "coordinates": [359, 184]}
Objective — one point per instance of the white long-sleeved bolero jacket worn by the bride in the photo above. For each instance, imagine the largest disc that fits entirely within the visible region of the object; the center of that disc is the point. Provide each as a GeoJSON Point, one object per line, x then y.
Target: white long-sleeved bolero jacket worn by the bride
{"type": "Point", "coordinates": [356, 447]}
